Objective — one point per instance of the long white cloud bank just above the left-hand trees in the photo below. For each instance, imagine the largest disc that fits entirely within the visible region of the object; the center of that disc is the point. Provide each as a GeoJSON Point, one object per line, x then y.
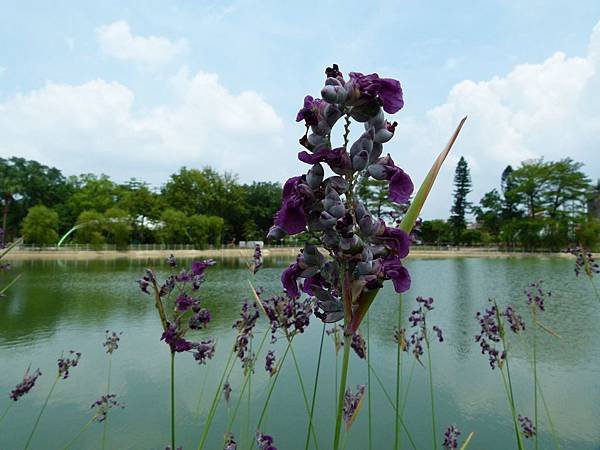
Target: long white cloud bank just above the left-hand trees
{"type": "Point", "coordinates": [95, 127]}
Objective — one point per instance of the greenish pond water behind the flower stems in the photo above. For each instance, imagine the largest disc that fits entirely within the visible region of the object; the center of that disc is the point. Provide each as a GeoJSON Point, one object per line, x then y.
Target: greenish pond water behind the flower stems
{"type": "Point", "coordinates": [64, 305]}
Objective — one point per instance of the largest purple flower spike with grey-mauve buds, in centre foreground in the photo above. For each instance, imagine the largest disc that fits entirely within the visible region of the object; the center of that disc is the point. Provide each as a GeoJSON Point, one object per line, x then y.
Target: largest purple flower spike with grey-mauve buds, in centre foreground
{"type": "Point", "coordinates": [362, 248]}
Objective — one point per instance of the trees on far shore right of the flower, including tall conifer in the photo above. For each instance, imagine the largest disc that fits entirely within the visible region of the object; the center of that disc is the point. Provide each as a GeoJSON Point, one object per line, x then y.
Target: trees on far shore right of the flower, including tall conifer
{"type": "Point", "coordinates": [539, 205]}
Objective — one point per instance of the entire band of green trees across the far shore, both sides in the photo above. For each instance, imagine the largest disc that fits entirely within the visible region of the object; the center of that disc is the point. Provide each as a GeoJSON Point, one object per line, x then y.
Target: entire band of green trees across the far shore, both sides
{"type": "Point", "coordinates": [539, 205]}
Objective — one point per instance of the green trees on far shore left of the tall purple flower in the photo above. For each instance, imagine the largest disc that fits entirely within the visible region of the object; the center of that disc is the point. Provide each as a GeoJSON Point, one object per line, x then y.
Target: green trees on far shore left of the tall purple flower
{"type": "Point", "coordinates": [198, 207]}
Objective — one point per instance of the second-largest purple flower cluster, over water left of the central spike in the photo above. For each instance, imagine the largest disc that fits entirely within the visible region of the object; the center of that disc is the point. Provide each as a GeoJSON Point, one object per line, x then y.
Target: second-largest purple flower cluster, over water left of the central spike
{"type": "Point", "coordinates": [185, 312]}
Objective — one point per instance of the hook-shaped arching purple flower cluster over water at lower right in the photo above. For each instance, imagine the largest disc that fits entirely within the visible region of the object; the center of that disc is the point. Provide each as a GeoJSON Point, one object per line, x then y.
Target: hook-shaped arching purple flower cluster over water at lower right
{"type": "Point", "coordinates": [492, 331]}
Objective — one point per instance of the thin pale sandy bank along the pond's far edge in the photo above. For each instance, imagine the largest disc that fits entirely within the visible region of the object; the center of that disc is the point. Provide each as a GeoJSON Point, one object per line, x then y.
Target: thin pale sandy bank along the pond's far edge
{"type": "Point", "coordinates": [291, 252]}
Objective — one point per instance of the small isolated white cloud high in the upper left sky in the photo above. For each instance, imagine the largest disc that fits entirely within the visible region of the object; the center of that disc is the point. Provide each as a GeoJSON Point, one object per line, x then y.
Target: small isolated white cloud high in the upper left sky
{"type": "Point", "coordinates": [116, 40]}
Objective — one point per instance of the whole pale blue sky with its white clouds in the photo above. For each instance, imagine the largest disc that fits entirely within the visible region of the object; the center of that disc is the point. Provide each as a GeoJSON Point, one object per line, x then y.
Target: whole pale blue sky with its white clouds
{"type": "Point", "coordinates": [142, 88]}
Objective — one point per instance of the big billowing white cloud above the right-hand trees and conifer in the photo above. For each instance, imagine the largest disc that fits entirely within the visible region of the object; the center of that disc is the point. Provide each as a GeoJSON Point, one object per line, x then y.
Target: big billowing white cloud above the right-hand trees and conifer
{"type": "Point", "coordinates": [548, 109]}
